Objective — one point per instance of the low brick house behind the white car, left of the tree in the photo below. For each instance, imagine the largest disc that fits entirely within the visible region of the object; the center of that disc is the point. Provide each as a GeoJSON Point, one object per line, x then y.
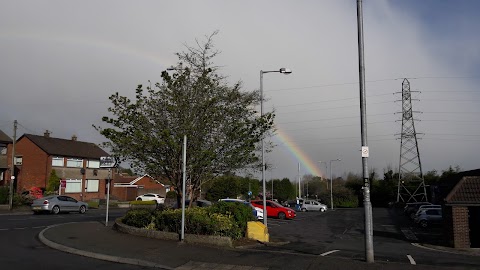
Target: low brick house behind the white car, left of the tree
{"type": "Point", "coordinates": [127, 188]}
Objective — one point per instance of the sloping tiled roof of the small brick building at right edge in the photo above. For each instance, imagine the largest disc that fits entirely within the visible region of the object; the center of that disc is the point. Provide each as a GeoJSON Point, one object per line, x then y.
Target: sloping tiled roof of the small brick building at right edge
{"type": "Point", "coordinates": [466, 191]}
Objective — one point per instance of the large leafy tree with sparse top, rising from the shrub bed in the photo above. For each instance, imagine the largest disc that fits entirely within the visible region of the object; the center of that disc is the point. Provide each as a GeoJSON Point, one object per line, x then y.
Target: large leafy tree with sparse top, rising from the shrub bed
{"type": "Point", "coordinates": [223, 129]}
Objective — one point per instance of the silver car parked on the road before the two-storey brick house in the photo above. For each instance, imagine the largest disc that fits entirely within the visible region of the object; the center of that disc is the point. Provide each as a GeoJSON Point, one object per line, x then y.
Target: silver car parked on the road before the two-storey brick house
{"type": "Point", "coordinates": [58, 203]}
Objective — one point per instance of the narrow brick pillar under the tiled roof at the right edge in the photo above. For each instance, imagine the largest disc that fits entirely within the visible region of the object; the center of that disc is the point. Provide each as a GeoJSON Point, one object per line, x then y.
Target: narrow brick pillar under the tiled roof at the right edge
{"type": "Point", "coordinates": [461, 230]}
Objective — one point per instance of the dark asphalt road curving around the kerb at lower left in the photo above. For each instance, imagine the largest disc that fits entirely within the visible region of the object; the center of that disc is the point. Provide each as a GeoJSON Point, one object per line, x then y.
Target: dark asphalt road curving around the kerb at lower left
{"type": "Point", "coordinates": [20, 248]}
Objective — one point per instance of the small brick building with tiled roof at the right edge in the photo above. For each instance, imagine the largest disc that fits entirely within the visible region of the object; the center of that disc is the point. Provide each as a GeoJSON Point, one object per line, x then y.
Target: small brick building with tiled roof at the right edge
{"type": "Point", "coordinates": [461, 213]}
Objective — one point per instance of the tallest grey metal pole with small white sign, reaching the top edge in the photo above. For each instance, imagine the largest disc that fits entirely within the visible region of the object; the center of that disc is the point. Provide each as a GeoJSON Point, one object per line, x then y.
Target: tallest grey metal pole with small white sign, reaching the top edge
{"type": "Point", "coordinates": [369, 256]}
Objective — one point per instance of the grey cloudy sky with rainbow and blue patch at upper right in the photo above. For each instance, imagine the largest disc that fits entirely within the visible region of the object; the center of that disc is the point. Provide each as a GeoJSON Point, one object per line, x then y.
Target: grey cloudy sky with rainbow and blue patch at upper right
{"type": "Point", "coordinates": [61, 60]}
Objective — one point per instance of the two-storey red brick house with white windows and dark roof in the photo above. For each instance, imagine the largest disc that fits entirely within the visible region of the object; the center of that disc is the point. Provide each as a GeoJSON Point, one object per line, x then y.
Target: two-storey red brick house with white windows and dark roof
{"type": "Point", "coordinates": [75, 162]}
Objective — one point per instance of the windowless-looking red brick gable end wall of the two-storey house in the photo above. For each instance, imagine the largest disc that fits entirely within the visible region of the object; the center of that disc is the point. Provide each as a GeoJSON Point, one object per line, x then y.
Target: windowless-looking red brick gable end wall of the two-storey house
{"type": "Point", "coordinates": [33, 172]}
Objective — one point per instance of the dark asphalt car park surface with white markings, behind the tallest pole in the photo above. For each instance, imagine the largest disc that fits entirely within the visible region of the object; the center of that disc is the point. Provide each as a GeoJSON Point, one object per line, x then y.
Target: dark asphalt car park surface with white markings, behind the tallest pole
{"type": "Point", "coordinates": [340, 233]}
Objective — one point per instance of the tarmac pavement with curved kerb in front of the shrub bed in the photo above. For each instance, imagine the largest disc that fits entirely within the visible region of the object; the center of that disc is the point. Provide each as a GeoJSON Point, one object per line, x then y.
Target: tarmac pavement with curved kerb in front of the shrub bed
{"type": "Point", "coordinates": [95, 240]}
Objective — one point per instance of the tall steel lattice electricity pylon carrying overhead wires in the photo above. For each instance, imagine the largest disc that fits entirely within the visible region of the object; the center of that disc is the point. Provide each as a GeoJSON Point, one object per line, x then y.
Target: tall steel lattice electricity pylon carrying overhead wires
{"type": "Point", "coordinates": [411, 185]}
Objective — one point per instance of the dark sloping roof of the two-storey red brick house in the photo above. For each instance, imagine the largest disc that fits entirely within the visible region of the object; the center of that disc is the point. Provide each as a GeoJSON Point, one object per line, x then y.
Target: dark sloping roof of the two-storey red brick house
{"type": "Point", "coordinates": [67, 148]}
